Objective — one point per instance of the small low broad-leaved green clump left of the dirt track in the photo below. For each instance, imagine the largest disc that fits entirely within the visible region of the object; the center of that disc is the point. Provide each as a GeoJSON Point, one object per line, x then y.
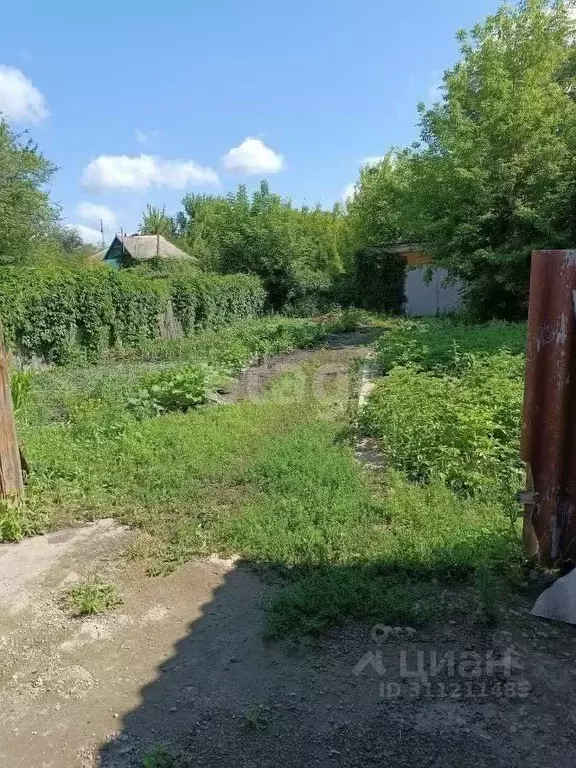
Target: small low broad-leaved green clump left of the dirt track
{"type": "Point", "coordinates": [177, 389]}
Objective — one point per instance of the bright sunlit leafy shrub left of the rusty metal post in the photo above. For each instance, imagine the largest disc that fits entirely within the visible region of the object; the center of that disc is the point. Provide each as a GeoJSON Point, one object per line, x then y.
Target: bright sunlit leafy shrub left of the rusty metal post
{"type": "Point", "coordinates": [463, 429]}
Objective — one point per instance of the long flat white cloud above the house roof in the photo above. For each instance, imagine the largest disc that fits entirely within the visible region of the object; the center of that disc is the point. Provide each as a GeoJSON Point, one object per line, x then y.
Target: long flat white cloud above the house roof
{"type": "Point", "coordinates": [138, 173]}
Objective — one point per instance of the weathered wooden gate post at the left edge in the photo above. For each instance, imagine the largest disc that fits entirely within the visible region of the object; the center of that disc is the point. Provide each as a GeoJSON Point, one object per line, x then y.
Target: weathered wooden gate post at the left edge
{"type": "Point", "coordinates": [11, 482]}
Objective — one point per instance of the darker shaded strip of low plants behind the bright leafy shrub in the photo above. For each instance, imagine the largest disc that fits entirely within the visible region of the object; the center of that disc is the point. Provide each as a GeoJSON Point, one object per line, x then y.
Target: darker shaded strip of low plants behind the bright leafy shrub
{"type": "Point", "coordinates": [440, 345]}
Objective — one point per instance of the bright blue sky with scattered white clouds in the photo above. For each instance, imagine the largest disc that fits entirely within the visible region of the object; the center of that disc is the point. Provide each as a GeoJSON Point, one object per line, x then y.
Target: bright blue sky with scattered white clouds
{"type": "Point", "coordinates": [141, 103]}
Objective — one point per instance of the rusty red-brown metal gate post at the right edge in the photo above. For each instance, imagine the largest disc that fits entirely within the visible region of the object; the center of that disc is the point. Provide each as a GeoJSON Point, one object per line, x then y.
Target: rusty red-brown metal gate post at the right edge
{"type": "Point", "coordinates": [549, 428]}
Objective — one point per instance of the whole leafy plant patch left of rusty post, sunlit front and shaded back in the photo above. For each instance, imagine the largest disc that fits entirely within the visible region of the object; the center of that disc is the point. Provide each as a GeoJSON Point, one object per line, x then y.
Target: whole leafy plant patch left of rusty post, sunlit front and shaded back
{"type": "Point", "coordinates": [450, 406]}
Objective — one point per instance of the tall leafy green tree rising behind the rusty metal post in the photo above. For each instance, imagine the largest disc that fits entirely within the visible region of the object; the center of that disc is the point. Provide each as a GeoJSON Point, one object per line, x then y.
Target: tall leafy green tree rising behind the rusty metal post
{"type": "Point", "coordinates": [493, 176]}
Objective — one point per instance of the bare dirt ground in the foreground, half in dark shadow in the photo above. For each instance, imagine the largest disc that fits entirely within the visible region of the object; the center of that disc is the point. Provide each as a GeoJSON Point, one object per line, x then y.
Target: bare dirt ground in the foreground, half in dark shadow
{"type": "Point", "coordinates": [183, 663]}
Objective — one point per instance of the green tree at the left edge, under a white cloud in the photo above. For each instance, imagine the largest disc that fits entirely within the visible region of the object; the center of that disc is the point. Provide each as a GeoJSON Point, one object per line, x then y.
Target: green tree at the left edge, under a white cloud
{"type": "Point", "coordinates": [26, 214]}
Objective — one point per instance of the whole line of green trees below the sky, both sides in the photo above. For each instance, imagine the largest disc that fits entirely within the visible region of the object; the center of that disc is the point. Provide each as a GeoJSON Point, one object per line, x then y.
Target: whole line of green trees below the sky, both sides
{"type": "Point", "coordinates": [492, 177]}
